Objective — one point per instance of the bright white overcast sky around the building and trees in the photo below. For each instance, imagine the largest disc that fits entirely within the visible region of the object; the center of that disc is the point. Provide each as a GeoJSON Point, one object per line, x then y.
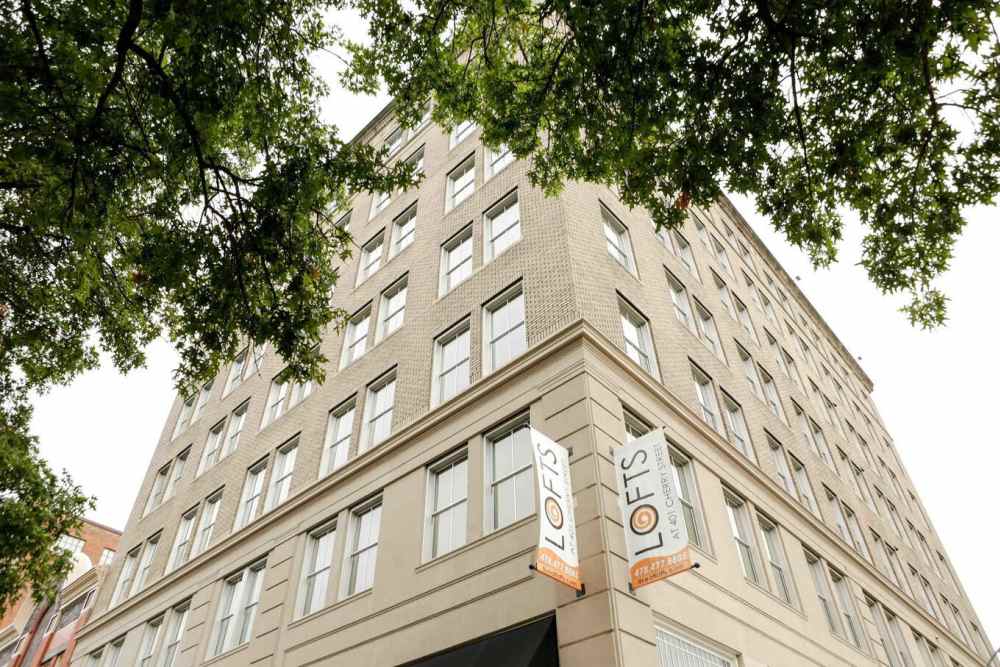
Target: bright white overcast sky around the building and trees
{"type": "Point", "coordinates": [933, 389]}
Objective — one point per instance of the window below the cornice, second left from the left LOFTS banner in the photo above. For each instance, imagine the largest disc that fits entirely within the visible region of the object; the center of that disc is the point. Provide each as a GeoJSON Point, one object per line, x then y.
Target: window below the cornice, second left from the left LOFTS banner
{"type": "Point", "coordinates": [446, 506]}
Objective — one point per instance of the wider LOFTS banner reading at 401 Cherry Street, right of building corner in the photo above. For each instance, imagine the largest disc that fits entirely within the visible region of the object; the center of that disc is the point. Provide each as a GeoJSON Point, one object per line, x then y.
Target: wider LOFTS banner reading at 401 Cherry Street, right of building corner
{"type": "Point", "coordinates": [655, 532]}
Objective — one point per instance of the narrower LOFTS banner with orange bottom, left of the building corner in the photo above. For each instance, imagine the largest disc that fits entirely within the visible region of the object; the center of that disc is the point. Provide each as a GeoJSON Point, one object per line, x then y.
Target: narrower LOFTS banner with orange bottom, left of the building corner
{"type": "Point", "coordinates": [556, 556]}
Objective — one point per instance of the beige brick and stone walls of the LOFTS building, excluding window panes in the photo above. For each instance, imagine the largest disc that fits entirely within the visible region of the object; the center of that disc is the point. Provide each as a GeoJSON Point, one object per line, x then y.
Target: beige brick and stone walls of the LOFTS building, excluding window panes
{"type": "Point", "coordinates": [576, 384]}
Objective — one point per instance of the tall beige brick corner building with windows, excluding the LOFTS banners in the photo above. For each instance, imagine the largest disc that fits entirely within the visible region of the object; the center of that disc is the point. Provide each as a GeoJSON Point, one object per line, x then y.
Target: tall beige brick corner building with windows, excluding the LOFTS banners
{"type": "Point", "coordinates": [388, 517]}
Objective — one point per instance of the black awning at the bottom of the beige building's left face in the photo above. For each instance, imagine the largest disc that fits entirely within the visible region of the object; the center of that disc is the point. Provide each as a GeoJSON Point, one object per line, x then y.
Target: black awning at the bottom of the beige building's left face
{"type": "Point", "coordinates": [531, 645]}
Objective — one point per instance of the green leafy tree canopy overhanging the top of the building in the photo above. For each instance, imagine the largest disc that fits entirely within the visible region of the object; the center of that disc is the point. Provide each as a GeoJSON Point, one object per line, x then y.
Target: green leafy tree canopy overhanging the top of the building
{"type": "Point", "coordinates": [164, 169]}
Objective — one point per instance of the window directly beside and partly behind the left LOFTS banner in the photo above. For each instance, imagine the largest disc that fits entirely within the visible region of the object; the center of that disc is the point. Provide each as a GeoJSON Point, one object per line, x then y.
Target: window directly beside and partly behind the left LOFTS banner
{"type": "Point", "coordinates": [510, 479]}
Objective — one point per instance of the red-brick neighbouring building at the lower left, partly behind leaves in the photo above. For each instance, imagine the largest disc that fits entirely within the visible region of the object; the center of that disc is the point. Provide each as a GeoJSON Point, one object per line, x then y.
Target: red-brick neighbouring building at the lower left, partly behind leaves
{"type": "Point", "coordinates": [44, 634]}
